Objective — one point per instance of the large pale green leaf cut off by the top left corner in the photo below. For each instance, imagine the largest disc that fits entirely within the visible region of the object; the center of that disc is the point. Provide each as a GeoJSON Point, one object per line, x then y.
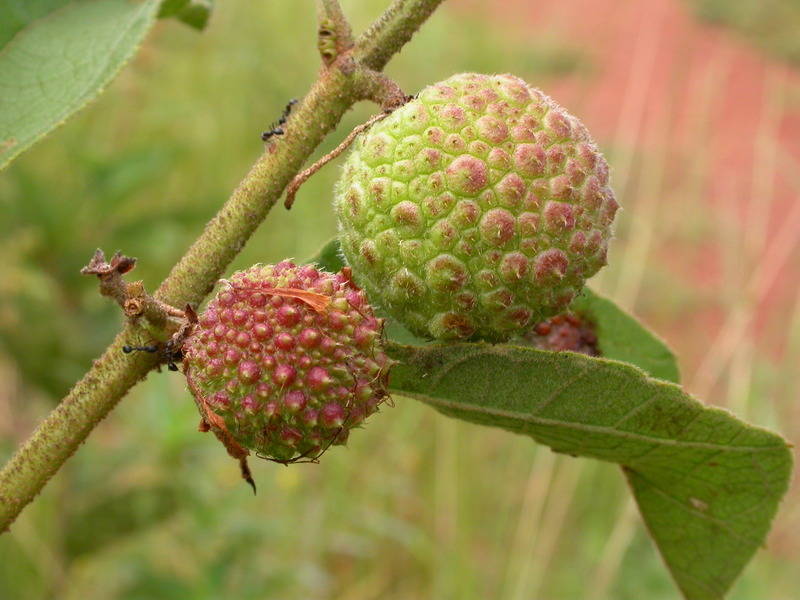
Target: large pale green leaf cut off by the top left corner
{"type": "Point", "coordinates": [56, 56]}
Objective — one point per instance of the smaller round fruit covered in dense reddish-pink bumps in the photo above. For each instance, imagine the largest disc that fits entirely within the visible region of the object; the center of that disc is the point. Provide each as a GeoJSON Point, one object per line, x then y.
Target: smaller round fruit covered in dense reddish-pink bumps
{"type": "Point", "coordinates": [290, 357]}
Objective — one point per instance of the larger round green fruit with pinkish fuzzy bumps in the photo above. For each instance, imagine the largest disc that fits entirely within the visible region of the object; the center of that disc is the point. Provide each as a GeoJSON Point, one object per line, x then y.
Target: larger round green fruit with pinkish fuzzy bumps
{"type": "Point", "coordinates": [475, 210]}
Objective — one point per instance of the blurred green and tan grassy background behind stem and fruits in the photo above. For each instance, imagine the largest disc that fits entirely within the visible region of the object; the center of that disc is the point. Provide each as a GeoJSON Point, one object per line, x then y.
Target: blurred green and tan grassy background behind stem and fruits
{"type": "Point", "coordinates": [417, 506]}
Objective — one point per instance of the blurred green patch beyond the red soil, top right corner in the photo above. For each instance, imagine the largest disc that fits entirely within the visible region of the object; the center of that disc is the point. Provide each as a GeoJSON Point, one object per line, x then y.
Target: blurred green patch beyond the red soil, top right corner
{"type": "Point", "coordinates": [774, 25]}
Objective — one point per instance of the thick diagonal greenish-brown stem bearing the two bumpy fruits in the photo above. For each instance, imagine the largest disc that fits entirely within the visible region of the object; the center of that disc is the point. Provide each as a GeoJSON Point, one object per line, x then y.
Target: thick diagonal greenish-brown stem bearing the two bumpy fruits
{"type": "Point", "coordinates": [349, 78]}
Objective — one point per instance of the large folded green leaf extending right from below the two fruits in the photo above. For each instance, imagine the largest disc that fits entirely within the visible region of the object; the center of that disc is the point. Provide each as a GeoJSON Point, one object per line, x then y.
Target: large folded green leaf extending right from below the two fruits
{"type": "Point", "coordinates": [707, 484]}
